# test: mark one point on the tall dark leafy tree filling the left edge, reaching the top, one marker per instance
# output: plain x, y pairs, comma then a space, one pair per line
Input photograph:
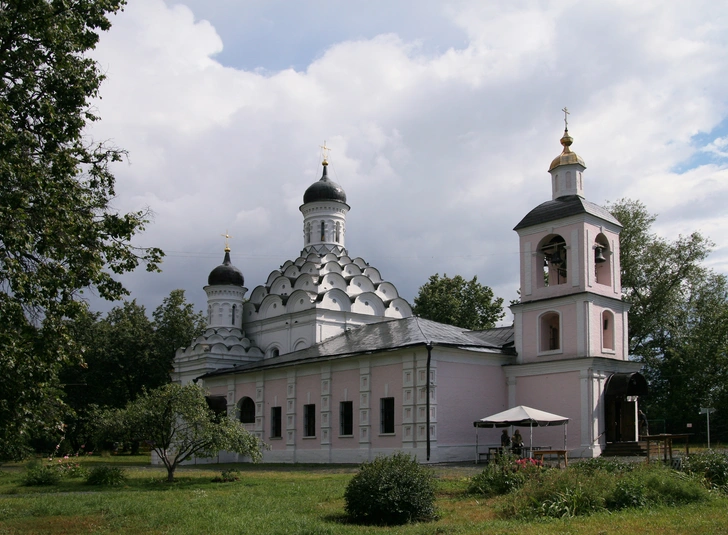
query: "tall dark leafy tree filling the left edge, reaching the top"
58, 232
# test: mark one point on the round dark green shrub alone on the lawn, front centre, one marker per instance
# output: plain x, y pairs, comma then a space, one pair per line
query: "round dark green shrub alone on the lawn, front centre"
391, 490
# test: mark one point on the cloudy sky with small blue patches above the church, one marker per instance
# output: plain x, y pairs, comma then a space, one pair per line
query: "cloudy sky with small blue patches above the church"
442, 119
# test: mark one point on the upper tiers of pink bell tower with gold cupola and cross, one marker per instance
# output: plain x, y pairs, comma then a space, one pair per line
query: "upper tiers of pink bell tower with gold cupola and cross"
571, 303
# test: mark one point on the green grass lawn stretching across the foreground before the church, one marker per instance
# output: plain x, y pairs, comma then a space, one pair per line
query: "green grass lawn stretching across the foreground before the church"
291, 499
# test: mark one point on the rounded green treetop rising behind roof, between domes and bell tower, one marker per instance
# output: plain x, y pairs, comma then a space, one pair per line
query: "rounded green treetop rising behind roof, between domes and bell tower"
455, 301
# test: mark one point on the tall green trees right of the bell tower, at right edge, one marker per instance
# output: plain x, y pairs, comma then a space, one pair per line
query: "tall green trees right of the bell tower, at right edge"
678, 322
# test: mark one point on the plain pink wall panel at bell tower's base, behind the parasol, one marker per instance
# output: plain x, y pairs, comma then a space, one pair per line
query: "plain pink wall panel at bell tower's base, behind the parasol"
558, 393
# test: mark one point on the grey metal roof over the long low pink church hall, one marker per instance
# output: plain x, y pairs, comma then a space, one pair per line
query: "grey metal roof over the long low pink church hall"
387, 336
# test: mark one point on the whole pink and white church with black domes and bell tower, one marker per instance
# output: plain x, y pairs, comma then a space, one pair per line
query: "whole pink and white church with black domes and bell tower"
325, 362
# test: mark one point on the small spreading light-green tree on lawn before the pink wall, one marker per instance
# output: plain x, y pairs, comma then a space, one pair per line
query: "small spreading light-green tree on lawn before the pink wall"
177, 423
